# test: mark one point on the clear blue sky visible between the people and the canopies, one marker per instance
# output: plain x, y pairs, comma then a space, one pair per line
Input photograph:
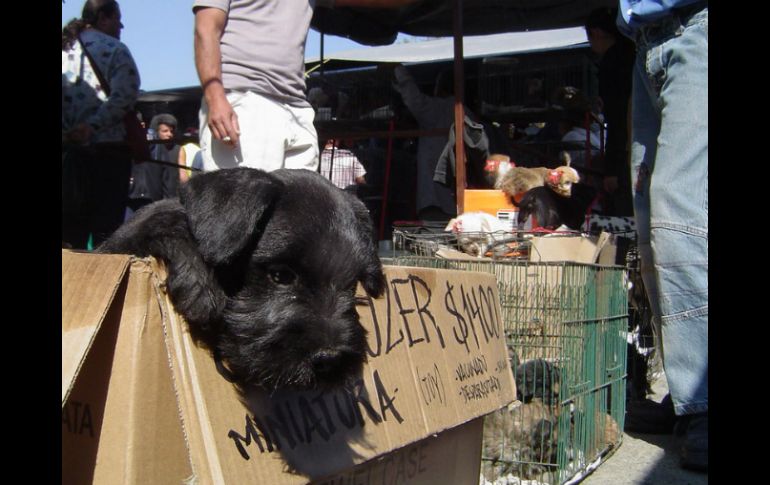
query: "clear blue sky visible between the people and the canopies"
159, 34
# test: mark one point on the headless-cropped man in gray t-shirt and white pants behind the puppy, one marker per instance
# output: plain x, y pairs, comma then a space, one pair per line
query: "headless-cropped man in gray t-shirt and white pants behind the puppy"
249, 55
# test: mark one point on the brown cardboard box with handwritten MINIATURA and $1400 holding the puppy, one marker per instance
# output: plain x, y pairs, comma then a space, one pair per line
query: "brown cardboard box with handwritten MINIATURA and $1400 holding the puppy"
141, 403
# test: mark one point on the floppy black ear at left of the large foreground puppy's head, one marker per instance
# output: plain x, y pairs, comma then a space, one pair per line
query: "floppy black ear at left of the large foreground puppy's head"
224, 209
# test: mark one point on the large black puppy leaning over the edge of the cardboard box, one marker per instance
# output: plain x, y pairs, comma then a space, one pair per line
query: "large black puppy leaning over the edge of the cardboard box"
264, 268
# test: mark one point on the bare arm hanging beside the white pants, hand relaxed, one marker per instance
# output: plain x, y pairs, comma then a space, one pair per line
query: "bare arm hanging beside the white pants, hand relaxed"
209, 26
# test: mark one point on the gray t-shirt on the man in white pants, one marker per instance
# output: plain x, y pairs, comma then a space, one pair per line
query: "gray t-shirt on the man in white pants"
263, 46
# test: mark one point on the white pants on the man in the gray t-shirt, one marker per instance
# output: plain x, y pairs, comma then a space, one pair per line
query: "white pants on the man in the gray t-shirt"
273, 136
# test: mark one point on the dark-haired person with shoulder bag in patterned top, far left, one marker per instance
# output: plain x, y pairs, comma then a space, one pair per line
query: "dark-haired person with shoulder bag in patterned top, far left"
100, 85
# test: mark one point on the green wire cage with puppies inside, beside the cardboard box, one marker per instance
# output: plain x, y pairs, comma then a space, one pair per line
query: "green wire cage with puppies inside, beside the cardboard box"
566, 329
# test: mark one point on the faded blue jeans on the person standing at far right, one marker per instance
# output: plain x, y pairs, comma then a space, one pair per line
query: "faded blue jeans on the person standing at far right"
669, 167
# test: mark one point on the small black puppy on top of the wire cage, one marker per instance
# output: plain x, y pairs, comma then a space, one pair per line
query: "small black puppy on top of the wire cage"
552, 210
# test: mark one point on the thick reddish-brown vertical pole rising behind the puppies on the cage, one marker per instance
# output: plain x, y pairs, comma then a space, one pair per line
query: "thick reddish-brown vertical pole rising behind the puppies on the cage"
457, 22
